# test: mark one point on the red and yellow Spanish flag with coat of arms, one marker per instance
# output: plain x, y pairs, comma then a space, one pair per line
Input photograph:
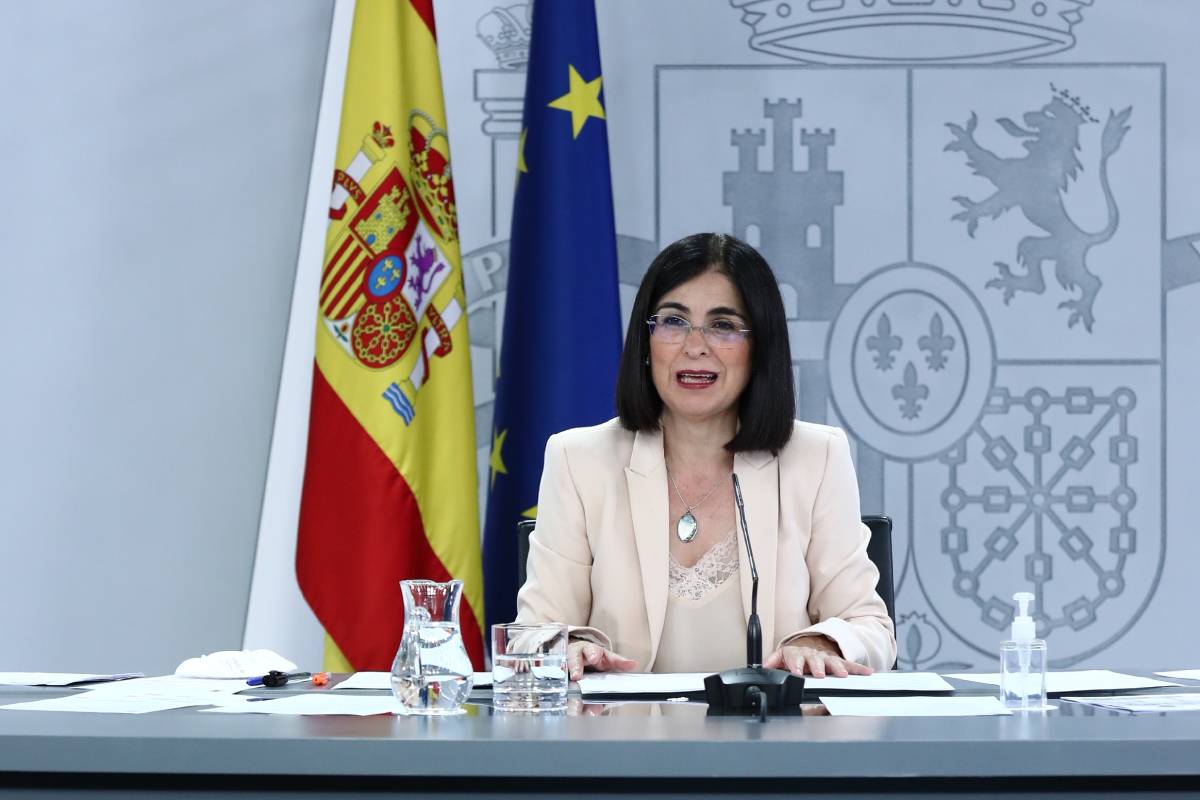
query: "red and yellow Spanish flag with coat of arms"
389, 490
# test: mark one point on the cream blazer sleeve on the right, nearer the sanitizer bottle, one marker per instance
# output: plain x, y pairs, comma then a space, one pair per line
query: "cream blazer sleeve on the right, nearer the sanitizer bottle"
843, 579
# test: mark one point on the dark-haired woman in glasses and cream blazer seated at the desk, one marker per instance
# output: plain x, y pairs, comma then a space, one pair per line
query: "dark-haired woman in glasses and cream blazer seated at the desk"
637, 546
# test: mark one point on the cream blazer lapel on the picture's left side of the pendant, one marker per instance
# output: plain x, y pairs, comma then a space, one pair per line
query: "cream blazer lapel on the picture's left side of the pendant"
647, 482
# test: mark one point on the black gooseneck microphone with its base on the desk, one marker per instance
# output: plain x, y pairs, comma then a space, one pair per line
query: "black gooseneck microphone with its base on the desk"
753, 688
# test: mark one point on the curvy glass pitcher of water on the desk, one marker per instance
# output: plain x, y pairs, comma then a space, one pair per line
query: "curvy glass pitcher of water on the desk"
433, 672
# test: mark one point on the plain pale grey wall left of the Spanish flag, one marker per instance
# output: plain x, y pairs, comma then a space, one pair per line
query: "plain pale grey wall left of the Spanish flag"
155, 158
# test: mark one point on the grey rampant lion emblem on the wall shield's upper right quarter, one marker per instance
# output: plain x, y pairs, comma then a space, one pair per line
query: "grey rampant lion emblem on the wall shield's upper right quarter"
1035, 184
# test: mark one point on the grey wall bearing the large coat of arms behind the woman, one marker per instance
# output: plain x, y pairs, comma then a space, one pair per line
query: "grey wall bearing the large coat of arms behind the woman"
1045, 456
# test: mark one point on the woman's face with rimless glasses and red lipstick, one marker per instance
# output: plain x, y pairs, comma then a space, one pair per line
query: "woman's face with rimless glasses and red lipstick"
700, 377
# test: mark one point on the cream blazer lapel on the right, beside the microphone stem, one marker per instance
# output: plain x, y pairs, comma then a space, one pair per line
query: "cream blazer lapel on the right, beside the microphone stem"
759, 477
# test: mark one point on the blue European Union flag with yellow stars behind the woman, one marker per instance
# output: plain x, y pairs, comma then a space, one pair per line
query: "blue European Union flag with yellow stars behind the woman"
562, 324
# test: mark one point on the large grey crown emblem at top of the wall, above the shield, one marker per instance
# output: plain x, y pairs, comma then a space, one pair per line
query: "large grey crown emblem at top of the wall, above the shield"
904, 32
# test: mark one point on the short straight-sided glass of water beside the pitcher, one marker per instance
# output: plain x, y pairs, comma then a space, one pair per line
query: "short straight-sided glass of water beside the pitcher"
530, 667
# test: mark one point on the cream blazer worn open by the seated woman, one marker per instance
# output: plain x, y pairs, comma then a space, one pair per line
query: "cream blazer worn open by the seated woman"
598, 558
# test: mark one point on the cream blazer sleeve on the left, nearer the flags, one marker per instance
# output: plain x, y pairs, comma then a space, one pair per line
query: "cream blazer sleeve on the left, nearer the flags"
559, 572
